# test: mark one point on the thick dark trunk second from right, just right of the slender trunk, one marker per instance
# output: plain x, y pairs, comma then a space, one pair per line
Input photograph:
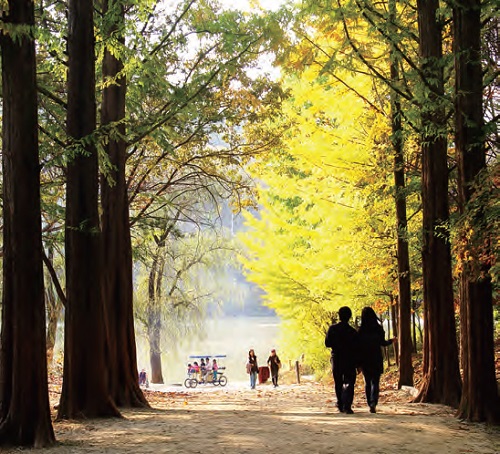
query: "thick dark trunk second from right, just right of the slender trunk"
441, 381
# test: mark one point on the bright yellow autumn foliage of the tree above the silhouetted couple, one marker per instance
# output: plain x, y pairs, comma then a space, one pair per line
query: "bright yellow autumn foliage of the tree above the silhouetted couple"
307, 247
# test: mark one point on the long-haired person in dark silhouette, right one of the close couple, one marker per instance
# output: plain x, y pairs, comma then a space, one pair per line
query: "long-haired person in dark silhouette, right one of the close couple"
371, 338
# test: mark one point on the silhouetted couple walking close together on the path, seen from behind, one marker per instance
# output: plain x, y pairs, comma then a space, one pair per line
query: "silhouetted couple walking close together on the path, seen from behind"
353, 349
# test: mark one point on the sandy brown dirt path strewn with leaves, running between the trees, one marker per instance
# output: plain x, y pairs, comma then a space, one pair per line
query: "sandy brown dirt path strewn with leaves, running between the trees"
291, 419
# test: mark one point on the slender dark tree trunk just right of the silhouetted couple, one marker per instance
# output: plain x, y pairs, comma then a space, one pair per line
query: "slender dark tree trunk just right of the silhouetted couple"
405, 346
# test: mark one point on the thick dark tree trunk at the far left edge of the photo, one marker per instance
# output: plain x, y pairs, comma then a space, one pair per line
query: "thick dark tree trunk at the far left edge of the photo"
24, 411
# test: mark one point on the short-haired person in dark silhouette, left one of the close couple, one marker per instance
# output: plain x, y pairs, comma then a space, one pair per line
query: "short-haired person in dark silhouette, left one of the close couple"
342, 339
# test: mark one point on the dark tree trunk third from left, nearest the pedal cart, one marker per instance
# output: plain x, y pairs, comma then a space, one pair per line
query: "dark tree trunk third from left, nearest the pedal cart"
117, 247
